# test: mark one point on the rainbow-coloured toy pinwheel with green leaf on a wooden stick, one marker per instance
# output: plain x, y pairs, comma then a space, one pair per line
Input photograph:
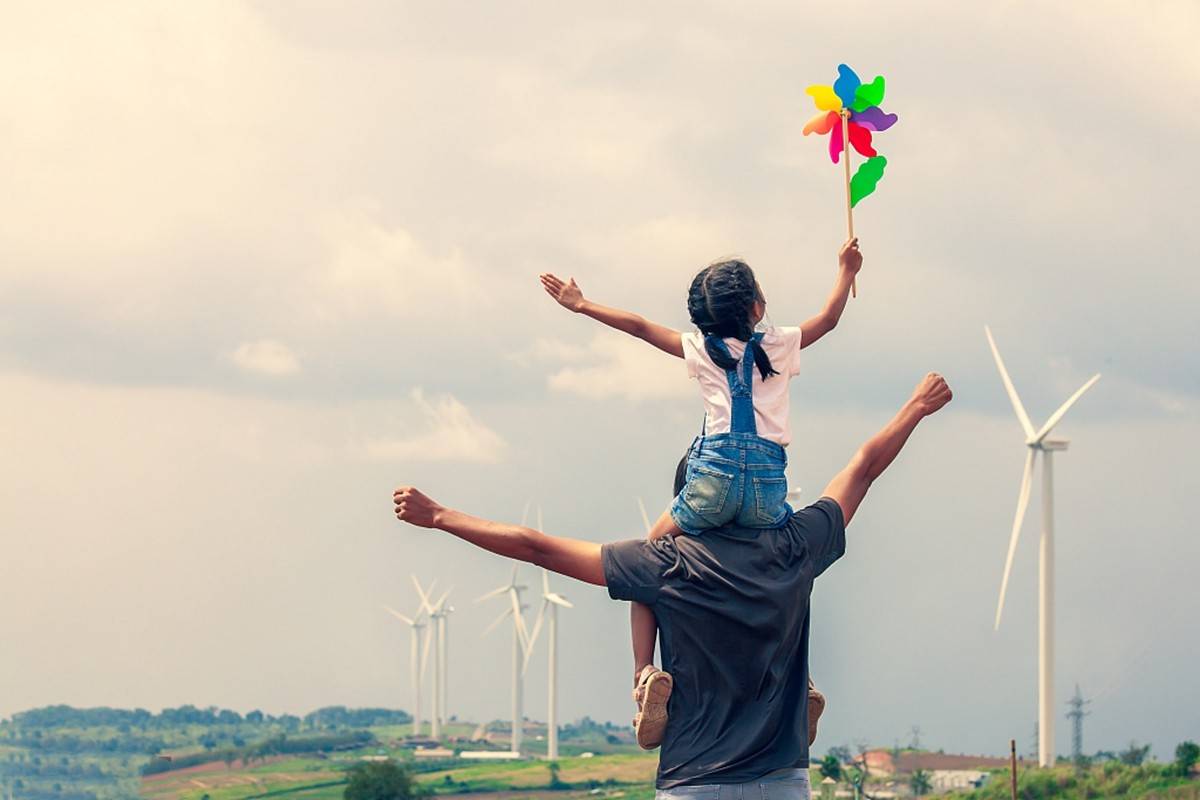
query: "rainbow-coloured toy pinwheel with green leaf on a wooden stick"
850, 112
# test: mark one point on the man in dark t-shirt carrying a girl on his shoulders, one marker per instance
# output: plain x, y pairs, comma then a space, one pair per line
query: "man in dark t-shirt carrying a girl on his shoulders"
733, 609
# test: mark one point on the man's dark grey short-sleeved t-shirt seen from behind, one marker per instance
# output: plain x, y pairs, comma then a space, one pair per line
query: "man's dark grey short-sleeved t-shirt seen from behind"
733, 607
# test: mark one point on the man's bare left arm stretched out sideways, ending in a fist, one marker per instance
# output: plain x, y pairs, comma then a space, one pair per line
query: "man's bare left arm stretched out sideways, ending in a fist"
571, 557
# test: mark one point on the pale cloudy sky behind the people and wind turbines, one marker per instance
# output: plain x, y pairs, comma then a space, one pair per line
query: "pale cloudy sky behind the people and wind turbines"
263, 262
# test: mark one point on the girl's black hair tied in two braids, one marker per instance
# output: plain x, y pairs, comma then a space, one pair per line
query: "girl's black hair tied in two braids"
721, 303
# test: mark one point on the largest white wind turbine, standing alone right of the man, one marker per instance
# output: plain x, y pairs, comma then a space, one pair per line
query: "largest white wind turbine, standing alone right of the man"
1037, 443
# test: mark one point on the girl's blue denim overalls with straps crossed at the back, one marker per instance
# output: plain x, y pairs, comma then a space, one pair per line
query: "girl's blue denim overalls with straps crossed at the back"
737, 477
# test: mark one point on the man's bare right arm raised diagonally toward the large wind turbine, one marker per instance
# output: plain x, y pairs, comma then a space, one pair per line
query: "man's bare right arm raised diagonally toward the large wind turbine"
849, 488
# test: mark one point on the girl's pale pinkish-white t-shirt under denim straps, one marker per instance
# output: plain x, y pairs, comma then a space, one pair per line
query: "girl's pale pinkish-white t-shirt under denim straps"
771, 398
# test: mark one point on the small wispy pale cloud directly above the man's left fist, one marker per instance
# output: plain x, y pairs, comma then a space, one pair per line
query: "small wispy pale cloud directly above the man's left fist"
453, 435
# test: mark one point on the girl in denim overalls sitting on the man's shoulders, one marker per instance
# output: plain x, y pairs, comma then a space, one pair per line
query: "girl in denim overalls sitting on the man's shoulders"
735, 470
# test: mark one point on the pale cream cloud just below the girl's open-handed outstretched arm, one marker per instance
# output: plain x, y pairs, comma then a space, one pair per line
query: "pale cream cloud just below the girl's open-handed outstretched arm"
622, 368
